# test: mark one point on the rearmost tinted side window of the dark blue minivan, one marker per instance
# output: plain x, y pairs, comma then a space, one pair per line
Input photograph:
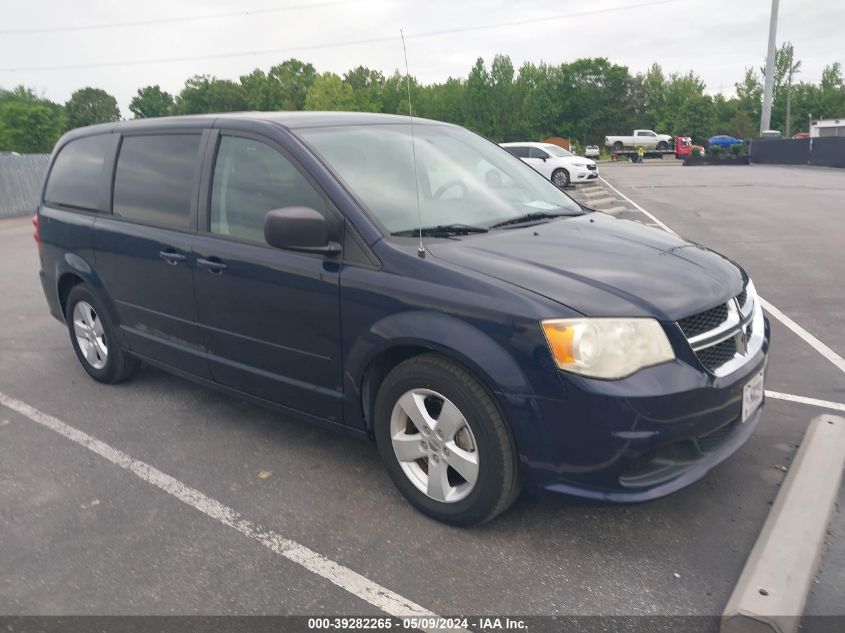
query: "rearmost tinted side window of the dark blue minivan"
78, 177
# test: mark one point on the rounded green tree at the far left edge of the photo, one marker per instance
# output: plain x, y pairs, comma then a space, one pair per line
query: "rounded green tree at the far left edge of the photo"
28, 127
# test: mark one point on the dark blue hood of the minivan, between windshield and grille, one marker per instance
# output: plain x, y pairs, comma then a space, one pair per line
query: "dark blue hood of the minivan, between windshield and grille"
600, 266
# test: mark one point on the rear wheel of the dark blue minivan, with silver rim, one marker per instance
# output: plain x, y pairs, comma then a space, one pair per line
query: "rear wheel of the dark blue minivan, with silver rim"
94, 338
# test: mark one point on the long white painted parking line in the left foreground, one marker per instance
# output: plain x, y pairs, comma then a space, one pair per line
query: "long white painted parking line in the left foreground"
356, 584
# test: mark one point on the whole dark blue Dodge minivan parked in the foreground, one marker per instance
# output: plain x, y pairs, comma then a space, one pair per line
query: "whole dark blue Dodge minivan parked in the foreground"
412, 282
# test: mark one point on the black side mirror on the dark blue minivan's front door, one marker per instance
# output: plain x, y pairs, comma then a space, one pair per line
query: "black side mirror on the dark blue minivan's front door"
299, 229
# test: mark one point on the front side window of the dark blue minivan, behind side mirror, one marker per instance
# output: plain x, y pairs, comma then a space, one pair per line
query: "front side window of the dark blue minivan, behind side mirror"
250, 179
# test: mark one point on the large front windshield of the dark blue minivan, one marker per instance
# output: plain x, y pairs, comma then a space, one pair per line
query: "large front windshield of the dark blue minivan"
463, 179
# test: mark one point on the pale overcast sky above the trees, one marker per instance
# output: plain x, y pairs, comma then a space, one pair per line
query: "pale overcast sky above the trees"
715, 38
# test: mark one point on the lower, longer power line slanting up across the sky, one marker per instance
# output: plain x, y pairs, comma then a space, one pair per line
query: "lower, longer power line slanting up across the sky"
372, 40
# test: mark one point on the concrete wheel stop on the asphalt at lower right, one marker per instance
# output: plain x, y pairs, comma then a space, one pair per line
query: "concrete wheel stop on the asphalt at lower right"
772, 589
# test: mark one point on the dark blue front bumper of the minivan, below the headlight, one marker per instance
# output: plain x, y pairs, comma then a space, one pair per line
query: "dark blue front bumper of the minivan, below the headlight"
639, 438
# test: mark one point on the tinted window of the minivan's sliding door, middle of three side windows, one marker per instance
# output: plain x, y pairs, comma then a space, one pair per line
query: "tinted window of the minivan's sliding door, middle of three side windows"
154, 179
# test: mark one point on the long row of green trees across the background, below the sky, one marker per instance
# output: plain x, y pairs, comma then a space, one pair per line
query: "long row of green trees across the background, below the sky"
583, 100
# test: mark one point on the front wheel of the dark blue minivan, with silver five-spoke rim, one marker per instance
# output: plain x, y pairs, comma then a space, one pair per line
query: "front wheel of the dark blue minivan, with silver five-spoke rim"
430, 386
